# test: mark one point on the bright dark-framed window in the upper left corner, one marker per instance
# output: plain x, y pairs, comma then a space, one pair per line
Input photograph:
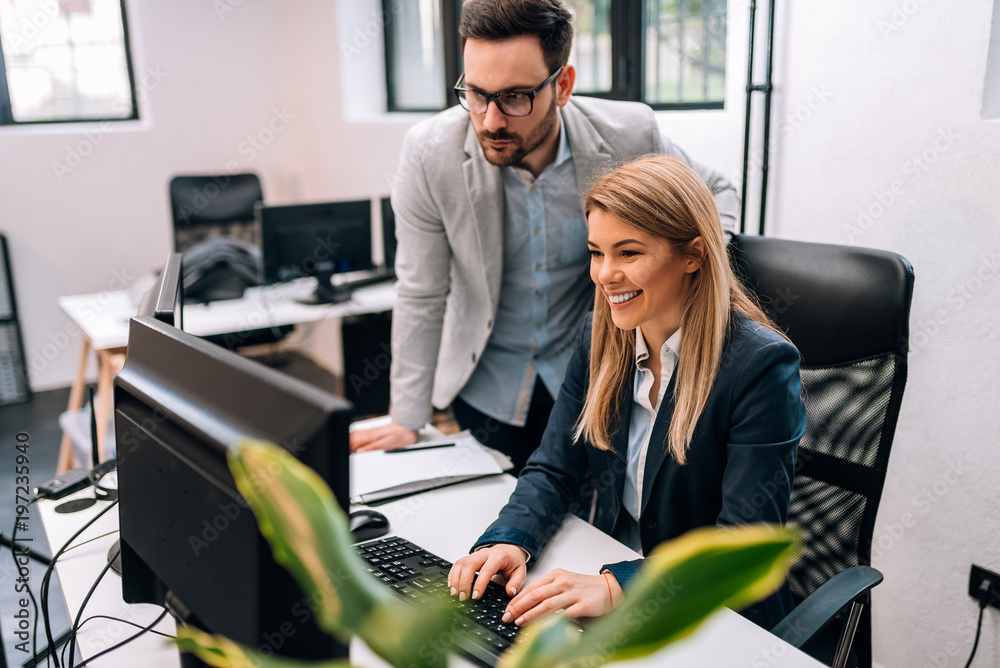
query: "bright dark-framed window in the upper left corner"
64, 60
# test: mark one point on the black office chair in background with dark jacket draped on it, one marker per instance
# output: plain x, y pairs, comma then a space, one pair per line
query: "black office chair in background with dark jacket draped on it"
214, 227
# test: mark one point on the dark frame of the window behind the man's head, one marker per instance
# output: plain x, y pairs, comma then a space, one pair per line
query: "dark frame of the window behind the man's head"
627, 58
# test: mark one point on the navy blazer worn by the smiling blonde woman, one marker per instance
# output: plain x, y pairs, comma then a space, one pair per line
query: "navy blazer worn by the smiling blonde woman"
739, 469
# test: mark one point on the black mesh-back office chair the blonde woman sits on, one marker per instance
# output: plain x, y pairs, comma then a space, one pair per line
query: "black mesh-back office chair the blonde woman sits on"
847, 311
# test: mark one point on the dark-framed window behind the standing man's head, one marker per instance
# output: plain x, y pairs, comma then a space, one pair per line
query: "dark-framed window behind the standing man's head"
670, 54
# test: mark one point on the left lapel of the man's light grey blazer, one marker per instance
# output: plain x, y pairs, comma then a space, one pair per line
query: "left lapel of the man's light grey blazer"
484, 188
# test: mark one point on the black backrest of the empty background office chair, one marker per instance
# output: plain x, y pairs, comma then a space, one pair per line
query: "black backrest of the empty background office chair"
205, 207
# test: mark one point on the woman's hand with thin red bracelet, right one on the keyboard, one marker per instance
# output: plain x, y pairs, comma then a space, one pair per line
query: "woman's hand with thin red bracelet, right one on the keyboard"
575, 594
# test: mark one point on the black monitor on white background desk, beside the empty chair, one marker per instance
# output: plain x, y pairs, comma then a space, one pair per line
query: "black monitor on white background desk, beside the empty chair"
316, 240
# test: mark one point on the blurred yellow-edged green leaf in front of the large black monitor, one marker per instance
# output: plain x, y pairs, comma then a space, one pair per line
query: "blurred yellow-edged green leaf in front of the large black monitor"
309, 535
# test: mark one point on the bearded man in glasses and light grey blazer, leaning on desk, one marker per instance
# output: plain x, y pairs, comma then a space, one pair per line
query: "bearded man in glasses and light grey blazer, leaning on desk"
492, 255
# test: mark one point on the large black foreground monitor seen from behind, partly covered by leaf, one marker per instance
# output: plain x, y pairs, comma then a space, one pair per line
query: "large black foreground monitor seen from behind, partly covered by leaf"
188, 541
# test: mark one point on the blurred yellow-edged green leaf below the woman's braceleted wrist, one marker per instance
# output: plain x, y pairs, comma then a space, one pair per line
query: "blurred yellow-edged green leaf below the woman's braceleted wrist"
680, 584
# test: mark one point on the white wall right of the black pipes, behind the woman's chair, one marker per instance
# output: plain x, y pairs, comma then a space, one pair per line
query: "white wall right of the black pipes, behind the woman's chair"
905, 83
